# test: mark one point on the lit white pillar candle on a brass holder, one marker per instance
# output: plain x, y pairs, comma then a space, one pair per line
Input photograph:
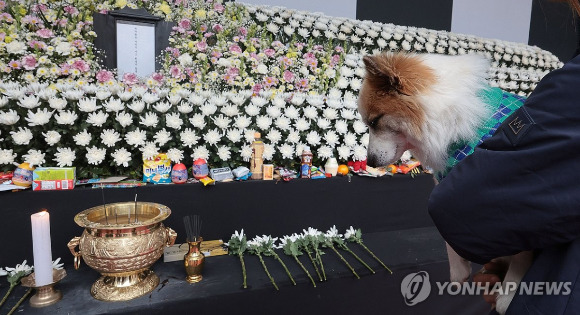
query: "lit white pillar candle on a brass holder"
41, 248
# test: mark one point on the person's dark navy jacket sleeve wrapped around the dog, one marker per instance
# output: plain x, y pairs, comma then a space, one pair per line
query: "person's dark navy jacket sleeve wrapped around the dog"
520, 190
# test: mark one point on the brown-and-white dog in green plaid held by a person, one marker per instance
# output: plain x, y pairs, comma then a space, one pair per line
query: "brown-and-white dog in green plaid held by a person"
426, 104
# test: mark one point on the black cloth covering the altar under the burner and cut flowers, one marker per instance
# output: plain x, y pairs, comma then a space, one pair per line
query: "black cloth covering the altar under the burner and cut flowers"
391, 212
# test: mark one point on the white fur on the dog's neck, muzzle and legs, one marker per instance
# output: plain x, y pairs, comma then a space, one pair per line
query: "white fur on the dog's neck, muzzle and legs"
452, 112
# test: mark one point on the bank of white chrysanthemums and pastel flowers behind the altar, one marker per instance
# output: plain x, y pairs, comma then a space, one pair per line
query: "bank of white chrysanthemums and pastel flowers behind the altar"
231, 69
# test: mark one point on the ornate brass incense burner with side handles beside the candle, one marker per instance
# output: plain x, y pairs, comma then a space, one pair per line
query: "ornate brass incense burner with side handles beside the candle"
121, 241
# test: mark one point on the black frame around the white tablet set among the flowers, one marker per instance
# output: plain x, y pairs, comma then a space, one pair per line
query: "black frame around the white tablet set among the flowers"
105, 25
